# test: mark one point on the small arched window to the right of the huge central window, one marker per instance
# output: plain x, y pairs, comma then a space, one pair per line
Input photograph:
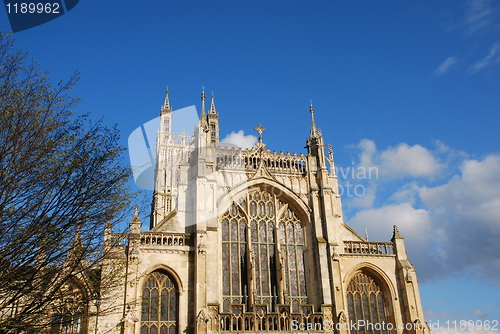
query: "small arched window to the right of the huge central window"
366, 302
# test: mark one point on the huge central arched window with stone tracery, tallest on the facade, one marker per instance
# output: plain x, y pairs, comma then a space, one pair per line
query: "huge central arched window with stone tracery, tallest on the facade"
262, 253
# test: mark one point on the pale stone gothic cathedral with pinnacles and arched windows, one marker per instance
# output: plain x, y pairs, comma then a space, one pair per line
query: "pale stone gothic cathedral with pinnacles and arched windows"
252, 241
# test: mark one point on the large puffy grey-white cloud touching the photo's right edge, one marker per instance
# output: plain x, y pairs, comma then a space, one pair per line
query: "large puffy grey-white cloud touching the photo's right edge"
467, 212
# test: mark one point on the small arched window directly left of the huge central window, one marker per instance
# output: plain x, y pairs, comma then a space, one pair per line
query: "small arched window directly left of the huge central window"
160, 299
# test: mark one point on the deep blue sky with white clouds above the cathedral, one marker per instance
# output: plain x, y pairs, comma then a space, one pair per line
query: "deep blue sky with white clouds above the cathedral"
408, 87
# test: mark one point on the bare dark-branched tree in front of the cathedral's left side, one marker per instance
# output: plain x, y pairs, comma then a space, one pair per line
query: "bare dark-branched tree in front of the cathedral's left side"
62, 178
